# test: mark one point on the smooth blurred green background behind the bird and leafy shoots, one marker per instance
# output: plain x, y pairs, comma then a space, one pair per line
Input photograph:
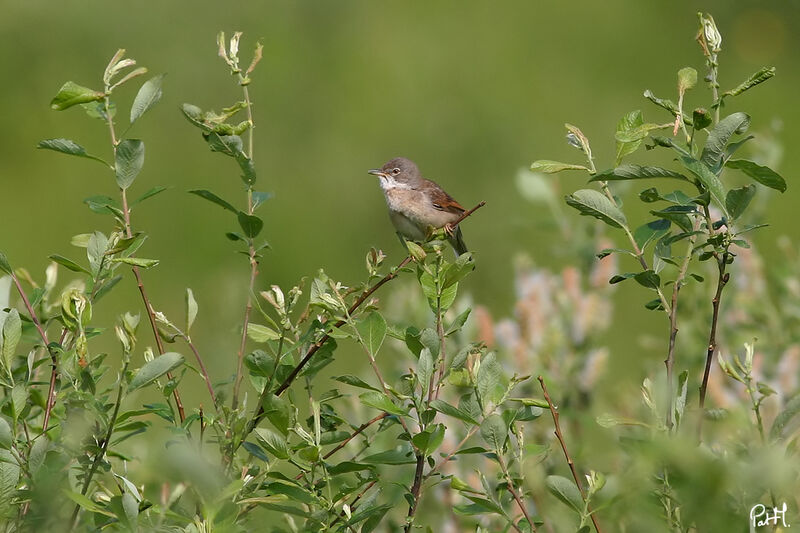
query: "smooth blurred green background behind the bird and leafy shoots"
472, 91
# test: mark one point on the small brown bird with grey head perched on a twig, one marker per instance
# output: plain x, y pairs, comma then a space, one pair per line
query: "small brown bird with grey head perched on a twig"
417, 206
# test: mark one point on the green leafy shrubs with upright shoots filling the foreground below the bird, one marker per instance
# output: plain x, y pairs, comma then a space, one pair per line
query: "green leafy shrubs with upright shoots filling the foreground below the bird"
442, 412
